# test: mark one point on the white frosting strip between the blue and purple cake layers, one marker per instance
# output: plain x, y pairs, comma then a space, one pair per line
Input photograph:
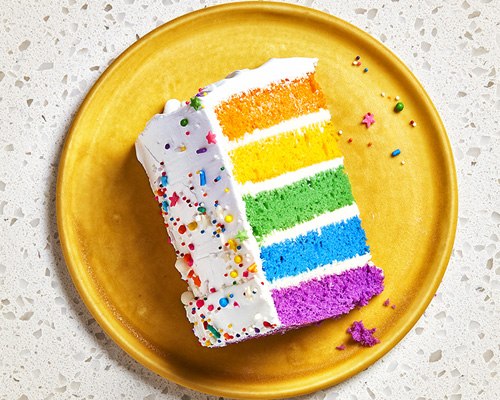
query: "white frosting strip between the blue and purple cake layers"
329, 269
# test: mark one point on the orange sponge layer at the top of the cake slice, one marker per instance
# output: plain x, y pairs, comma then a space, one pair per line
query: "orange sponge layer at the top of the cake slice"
263, 108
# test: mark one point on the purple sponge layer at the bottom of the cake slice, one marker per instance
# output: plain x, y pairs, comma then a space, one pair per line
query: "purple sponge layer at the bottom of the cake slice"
327, 297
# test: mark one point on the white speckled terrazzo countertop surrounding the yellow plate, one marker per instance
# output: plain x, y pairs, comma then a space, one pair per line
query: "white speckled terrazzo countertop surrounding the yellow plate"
53, 51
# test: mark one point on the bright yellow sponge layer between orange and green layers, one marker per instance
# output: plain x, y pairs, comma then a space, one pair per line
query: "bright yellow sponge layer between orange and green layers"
286, 152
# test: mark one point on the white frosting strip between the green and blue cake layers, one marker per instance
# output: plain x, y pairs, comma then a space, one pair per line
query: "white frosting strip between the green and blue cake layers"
314, 224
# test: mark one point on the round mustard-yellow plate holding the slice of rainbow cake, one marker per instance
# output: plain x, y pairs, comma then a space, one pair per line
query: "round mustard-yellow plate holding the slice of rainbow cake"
112, 234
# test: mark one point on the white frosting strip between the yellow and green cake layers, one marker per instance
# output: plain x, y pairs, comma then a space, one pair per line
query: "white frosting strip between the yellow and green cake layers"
290, 177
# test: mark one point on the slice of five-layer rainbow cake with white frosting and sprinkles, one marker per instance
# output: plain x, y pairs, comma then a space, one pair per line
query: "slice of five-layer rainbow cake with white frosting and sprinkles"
255, 199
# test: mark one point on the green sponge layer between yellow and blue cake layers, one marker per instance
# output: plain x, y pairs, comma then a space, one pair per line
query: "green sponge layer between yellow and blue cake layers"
301, 201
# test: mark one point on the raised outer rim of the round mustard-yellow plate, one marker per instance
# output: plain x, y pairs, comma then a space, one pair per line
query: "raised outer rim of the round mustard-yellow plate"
116, 333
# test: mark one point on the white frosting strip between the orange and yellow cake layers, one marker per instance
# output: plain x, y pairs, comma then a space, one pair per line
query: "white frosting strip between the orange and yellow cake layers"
284, 126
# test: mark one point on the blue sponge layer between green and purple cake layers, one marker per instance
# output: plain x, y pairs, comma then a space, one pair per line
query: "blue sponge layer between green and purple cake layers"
332, 243
